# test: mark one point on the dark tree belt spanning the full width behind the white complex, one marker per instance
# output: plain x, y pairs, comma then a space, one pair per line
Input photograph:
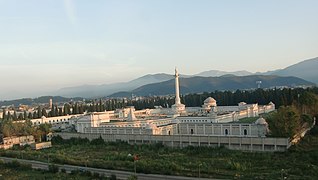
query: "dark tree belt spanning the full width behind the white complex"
280, 97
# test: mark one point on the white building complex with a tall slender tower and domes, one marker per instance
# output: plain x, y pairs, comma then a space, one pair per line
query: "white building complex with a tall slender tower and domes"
207, 120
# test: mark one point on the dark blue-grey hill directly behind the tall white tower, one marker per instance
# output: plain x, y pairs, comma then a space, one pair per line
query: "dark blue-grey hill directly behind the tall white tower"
207, 84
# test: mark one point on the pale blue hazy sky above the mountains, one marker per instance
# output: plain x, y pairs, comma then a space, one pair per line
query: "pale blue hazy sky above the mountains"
49, 44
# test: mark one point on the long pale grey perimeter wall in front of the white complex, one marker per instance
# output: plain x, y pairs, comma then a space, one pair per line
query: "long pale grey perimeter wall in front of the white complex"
230, 142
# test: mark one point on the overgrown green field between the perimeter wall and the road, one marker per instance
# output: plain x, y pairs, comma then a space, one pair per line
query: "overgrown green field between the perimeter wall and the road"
299, 162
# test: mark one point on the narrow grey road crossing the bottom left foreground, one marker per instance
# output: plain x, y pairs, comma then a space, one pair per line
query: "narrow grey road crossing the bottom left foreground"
119, 174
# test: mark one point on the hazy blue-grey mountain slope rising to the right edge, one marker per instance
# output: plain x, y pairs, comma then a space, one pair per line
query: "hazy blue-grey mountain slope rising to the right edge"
307, 70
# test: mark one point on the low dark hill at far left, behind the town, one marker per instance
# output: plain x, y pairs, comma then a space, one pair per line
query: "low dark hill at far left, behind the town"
39, 100
